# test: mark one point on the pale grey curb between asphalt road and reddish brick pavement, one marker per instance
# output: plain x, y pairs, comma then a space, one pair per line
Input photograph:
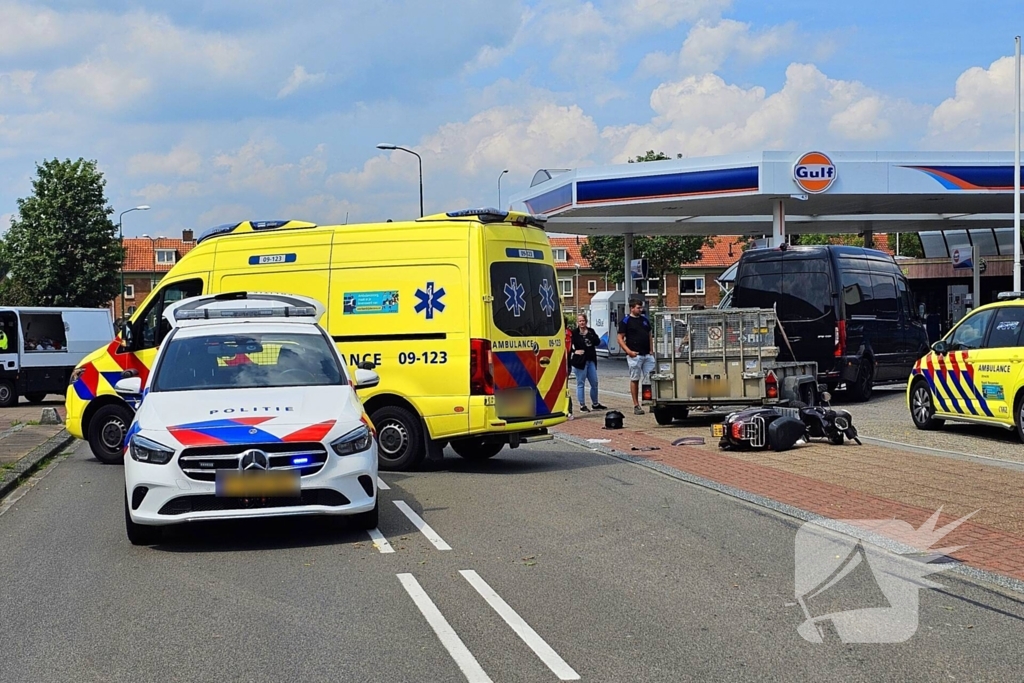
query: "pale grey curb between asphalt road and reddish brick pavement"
960, 569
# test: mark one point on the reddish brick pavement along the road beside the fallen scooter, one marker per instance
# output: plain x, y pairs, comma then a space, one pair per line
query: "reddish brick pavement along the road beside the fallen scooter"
844, 483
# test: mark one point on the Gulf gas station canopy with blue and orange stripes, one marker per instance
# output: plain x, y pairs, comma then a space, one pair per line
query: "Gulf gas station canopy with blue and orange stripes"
776, 193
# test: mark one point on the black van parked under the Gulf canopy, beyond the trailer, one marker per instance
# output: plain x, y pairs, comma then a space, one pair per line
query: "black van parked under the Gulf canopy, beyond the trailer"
847, 309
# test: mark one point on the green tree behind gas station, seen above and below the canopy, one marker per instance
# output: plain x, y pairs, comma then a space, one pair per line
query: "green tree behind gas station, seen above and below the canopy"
665, 254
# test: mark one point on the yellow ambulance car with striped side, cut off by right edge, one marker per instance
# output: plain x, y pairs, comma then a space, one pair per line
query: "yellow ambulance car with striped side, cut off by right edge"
976, 372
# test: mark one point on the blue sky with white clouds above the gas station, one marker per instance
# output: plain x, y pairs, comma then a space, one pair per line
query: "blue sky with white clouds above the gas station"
226, 111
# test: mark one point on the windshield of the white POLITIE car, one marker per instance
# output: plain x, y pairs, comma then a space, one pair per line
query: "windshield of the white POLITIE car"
247, 361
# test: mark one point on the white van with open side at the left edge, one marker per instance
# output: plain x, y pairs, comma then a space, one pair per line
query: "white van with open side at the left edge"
39, 349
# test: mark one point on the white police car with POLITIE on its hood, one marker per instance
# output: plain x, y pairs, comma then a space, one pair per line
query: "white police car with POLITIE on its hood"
248, 412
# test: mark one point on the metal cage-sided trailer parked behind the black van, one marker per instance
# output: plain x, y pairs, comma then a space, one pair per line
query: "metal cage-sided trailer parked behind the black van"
723, 358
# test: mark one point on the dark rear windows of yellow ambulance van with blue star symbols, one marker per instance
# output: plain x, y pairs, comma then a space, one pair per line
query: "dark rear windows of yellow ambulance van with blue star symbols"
527, 303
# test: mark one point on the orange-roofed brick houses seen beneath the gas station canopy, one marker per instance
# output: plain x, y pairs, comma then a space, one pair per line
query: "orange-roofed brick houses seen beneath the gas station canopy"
695, 286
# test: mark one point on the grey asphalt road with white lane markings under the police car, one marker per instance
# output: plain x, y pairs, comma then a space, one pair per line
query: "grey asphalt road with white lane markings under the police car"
619, 573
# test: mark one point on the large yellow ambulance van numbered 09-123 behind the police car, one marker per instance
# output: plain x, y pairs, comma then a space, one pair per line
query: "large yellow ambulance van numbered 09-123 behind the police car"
459, 314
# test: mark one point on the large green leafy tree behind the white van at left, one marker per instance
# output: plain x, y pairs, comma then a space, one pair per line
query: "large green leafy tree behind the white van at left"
62, 248
